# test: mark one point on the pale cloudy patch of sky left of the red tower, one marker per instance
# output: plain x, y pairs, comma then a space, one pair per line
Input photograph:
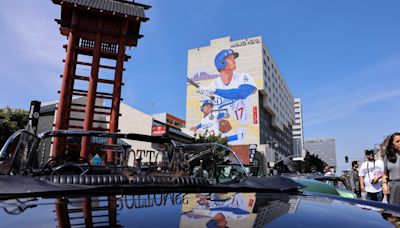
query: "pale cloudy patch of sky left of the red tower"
32, 52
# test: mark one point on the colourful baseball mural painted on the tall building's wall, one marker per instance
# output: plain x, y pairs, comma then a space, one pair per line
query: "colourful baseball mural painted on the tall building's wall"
224, 100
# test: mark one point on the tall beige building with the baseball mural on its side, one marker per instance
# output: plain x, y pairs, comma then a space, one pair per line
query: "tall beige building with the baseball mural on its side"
264, 117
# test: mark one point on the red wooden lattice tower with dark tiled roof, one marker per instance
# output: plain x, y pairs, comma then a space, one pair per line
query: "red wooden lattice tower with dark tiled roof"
99, 30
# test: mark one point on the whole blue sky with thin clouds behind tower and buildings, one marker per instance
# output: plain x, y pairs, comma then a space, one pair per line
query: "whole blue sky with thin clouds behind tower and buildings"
342, 58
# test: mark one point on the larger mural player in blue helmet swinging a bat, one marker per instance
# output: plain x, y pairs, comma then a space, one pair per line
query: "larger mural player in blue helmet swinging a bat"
230, 90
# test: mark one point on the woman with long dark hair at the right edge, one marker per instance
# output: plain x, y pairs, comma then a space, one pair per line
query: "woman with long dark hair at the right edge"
391, 175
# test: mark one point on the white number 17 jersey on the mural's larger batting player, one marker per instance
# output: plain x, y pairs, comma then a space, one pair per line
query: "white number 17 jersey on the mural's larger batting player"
236, 107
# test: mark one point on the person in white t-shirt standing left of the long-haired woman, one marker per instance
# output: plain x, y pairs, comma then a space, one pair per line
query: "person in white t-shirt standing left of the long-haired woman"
371, 172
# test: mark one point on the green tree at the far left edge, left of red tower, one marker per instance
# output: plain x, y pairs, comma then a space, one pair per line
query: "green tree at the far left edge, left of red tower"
10, 121
